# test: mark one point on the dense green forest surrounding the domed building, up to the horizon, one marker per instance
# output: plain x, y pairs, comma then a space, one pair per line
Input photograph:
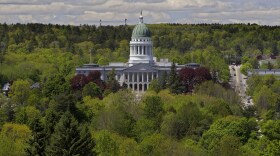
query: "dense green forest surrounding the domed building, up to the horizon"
51, 111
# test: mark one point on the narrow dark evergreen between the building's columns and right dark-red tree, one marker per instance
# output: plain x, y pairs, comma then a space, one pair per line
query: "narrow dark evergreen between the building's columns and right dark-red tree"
173, 81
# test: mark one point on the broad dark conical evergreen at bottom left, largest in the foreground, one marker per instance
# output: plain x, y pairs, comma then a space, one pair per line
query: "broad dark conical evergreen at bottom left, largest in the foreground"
68, 139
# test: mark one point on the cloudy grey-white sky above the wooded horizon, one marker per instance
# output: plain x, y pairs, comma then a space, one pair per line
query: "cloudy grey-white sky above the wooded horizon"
113, 12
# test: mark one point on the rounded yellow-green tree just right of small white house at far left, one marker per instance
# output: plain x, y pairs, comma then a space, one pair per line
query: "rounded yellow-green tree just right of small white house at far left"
20, 91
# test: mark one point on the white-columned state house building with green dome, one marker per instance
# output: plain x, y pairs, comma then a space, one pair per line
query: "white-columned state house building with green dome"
141, 67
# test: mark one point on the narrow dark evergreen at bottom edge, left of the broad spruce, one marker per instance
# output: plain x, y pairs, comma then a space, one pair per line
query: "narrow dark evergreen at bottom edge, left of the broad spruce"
36, 144
